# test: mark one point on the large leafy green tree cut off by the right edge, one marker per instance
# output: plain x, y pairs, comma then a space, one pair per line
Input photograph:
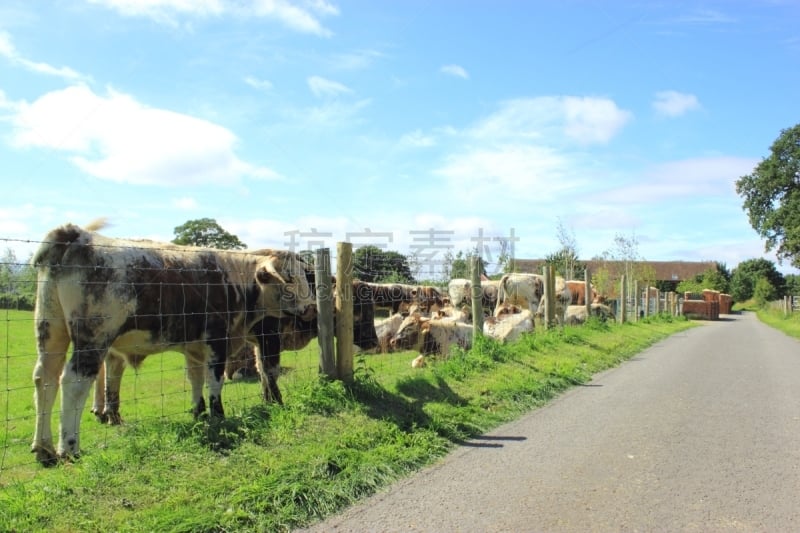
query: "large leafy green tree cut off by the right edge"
772, 196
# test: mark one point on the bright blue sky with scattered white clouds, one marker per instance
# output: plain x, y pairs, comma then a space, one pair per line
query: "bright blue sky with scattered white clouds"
418, 127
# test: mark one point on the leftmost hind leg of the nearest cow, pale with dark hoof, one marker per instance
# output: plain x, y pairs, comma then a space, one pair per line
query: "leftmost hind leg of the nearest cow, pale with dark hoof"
52, 341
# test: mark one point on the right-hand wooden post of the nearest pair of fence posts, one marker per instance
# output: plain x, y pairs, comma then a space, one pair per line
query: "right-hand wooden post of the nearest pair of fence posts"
344, 311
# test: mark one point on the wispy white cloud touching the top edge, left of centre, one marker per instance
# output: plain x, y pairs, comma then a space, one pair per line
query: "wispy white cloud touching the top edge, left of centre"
167, 11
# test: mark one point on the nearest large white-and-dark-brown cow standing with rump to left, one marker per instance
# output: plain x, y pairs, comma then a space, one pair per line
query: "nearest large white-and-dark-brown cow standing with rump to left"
133, 298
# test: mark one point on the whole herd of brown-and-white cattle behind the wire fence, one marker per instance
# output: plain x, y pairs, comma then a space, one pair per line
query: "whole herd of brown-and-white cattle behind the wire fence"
118, 301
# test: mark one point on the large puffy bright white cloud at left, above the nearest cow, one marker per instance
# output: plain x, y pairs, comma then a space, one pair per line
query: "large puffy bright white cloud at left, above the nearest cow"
114, 137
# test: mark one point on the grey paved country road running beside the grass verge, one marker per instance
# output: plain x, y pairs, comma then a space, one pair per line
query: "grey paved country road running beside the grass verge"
701, 432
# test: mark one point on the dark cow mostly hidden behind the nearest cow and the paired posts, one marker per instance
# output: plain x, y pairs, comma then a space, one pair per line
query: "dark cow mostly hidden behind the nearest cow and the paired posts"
260, 355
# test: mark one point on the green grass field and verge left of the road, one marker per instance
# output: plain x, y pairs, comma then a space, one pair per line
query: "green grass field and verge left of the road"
269, 468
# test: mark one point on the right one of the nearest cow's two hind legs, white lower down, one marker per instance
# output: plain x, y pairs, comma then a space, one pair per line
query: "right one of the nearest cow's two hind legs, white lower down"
76, 383
